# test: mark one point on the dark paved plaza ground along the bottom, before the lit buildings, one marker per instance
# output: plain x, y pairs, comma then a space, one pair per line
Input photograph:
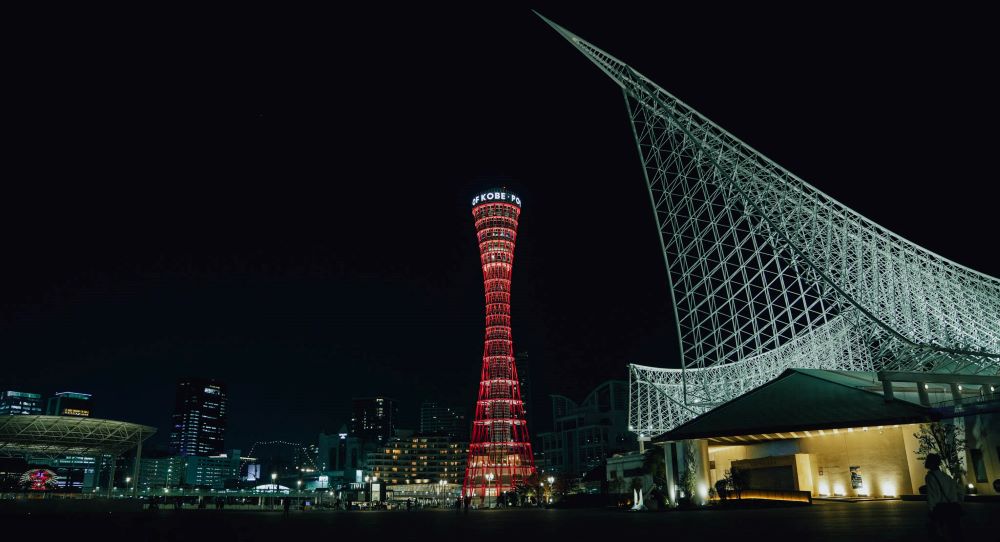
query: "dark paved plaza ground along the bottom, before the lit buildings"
852, 522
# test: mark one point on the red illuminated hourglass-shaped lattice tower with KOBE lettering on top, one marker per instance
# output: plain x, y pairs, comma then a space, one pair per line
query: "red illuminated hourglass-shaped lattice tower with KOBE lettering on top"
500, 455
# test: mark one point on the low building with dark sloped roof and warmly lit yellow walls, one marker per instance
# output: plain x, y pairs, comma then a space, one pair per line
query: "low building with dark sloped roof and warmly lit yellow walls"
853, 434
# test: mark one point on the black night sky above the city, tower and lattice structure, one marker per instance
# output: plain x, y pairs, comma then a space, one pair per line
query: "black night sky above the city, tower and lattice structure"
282, 201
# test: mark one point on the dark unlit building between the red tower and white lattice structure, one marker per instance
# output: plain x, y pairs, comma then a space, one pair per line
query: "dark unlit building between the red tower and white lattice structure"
585, 435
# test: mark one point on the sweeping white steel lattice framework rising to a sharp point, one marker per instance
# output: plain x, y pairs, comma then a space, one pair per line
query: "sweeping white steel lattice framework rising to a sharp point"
768, 273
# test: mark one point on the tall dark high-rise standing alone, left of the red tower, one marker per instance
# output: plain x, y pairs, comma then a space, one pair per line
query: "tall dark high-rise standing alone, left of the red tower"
199, 420
